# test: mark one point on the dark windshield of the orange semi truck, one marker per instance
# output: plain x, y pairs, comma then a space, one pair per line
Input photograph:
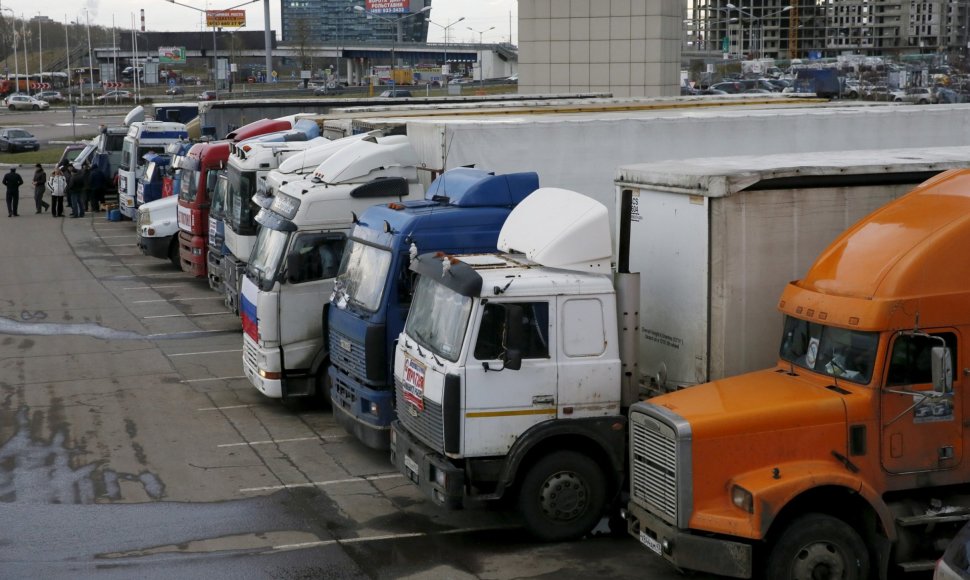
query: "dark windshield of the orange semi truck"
839, 352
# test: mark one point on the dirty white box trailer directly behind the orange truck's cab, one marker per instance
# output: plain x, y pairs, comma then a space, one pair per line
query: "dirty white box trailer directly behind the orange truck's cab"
716, 240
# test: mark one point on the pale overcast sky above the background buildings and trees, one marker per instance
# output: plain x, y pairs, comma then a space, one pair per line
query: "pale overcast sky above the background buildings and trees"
160, 15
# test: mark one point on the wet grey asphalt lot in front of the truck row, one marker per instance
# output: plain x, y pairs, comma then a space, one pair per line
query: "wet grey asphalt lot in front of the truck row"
131, 445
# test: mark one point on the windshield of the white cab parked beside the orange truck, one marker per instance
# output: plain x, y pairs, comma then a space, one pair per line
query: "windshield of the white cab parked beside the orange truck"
438, 318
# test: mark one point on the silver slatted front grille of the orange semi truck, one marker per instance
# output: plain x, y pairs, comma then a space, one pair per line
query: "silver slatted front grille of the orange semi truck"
654, 466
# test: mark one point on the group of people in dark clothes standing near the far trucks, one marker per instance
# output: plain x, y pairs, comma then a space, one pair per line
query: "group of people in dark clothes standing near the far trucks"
84, 188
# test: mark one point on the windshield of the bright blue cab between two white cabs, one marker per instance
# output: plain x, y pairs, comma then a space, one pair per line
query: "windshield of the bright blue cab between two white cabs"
360, 280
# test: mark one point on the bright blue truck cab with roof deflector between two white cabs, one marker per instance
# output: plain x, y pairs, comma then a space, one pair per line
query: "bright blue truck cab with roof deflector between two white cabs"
463, 211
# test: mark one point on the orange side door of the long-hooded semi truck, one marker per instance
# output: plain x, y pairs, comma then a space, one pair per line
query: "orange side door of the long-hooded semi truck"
919, 433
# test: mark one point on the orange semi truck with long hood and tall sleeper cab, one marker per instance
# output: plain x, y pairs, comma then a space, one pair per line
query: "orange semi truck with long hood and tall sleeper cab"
845, 459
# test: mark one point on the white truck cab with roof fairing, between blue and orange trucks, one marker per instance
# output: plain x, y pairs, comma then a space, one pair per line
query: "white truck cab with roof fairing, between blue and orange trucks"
507, 374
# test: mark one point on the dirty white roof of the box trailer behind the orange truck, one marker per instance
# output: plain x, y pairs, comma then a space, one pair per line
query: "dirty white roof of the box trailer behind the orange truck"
724, 176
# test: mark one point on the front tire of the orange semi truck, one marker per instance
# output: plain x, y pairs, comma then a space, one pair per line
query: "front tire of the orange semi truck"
818, 546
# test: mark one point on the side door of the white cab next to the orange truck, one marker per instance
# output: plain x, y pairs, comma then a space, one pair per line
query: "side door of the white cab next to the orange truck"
502, 404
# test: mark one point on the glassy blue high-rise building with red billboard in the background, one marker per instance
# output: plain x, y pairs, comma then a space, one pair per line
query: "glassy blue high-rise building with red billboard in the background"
336, 21
